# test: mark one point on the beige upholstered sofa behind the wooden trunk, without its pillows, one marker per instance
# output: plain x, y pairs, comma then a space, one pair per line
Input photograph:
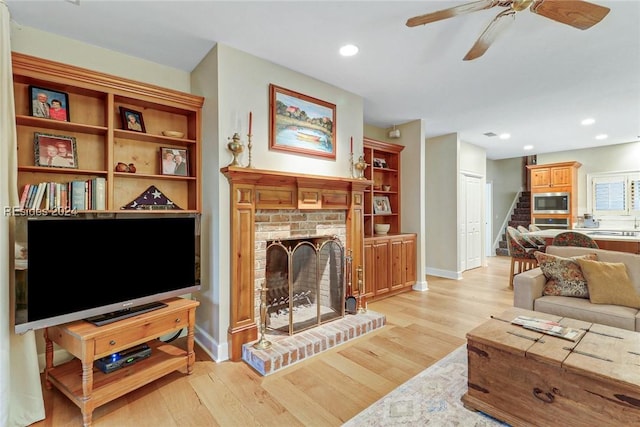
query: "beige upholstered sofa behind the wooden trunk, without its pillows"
531, 290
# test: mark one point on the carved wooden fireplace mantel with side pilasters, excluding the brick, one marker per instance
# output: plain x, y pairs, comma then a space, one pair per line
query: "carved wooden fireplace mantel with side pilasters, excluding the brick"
253, 189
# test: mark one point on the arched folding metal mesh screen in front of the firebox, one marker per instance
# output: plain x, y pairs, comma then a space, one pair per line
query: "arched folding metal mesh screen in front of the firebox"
305, 283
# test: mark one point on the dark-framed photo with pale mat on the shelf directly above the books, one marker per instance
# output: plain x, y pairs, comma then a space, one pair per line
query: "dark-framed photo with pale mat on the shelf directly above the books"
55, 151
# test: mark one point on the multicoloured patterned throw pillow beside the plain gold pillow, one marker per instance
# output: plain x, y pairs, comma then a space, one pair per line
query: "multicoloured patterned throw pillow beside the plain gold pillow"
564, 275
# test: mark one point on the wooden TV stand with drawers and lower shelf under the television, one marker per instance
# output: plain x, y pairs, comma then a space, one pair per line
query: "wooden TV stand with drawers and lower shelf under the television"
88, 343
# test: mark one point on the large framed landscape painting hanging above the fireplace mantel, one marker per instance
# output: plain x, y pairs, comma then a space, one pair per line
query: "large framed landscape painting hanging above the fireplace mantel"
301, 124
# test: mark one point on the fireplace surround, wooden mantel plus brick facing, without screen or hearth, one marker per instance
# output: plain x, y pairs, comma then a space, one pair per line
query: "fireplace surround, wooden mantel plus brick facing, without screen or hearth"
271, 205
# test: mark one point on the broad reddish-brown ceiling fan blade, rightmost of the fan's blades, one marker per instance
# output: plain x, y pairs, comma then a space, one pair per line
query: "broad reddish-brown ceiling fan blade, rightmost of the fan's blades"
578, 14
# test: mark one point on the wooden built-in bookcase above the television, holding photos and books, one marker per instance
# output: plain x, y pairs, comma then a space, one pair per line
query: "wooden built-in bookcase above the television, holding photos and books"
95, 124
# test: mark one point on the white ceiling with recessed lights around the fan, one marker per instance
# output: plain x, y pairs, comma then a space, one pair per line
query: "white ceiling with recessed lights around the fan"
537, 81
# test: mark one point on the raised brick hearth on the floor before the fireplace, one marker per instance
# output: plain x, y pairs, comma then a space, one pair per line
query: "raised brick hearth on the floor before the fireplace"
287, 350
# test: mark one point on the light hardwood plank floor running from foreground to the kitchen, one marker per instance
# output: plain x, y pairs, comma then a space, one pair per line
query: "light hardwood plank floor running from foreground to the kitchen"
325, 390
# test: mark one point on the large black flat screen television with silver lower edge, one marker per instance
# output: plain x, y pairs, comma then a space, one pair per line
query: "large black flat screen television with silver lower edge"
101, 267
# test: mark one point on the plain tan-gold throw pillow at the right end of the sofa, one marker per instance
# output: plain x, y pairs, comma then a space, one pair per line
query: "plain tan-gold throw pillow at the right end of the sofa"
609, 283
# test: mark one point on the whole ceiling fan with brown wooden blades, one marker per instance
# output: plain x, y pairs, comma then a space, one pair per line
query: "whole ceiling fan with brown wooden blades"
576, 13
